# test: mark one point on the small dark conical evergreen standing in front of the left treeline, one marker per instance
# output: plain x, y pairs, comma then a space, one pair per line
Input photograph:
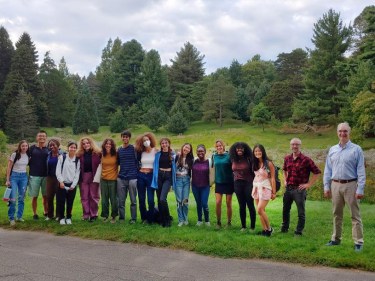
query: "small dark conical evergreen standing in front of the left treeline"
85, 118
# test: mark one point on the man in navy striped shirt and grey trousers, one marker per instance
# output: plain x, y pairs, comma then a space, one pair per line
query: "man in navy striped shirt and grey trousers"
127, 177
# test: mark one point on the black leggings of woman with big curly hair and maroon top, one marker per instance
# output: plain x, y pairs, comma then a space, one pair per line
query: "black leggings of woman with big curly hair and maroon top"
243, 191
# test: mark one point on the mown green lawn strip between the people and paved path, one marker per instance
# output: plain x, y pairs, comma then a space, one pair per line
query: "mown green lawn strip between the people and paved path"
228, 242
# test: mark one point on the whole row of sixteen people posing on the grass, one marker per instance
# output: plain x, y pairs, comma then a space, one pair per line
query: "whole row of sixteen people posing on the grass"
108, 174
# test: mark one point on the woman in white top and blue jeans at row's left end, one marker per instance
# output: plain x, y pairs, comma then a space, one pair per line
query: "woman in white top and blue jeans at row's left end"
17, 180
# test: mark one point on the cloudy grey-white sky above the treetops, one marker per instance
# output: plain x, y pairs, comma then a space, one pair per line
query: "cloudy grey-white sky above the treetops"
222, 30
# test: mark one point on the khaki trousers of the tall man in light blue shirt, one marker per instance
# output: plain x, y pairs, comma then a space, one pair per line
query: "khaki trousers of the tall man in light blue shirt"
344, 193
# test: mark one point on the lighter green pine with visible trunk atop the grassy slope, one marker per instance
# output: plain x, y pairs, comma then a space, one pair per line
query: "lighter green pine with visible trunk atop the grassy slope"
218, 100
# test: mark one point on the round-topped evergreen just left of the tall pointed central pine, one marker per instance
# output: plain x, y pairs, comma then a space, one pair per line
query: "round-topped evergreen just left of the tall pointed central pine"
152, 84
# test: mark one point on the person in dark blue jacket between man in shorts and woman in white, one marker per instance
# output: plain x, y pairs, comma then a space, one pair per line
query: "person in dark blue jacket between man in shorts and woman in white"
52, 182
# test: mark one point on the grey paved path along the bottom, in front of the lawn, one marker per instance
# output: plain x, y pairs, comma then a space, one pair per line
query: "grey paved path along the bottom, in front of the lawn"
40, 256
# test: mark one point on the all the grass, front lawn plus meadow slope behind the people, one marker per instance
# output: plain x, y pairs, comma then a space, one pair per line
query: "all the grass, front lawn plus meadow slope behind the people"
308, 249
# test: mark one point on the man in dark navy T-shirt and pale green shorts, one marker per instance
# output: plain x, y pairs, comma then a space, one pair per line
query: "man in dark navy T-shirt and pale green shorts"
38, 173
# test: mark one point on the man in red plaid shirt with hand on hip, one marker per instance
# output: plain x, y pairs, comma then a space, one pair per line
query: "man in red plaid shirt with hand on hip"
297, 168
